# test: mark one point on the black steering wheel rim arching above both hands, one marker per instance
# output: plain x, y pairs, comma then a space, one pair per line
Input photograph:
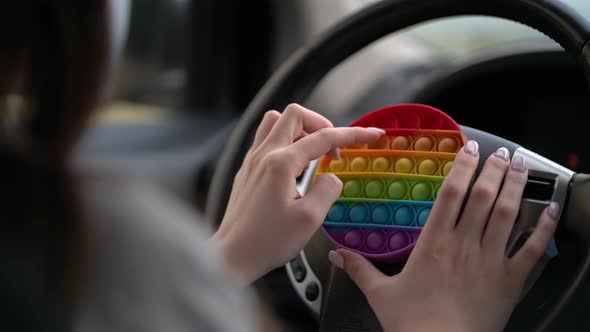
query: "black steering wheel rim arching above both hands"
295, 80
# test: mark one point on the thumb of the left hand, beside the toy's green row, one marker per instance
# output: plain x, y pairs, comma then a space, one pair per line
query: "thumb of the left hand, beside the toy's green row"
325, 190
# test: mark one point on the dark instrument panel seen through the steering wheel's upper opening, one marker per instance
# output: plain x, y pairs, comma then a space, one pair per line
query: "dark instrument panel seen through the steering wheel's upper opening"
534, 96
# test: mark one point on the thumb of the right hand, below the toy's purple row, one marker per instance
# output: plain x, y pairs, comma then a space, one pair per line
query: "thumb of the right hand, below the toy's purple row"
362, 272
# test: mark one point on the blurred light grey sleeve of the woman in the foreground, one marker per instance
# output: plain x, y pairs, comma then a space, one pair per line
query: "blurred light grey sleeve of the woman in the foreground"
150, 267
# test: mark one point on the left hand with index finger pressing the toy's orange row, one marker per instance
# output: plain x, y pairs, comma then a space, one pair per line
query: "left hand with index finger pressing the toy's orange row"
267, 222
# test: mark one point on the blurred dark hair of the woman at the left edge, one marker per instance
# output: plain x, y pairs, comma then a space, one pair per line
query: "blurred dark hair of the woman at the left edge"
53, 55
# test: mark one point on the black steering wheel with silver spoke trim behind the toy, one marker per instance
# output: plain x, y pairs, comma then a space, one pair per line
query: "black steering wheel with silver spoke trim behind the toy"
327, 291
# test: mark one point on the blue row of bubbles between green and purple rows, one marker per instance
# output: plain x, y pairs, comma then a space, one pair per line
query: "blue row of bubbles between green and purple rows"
372, 214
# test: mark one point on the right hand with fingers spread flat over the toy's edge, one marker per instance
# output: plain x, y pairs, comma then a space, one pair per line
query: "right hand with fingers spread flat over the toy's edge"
458, 277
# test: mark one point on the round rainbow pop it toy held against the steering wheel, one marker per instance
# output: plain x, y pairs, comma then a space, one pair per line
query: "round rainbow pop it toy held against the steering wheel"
390, 185
